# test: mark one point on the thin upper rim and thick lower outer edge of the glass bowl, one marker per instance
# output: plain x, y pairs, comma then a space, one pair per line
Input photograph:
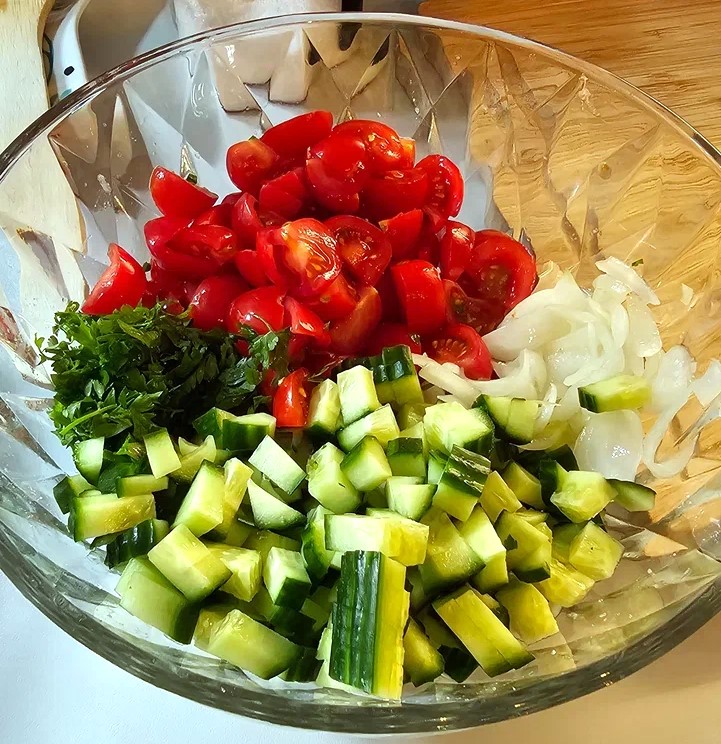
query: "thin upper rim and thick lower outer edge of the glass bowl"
262, 705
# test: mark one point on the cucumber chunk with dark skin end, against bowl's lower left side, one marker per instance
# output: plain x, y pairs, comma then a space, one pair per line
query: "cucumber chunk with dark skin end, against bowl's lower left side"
149, 596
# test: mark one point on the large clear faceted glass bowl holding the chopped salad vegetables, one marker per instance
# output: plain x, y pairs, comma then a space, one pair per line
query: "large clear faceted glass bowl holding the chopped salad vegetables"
568, 158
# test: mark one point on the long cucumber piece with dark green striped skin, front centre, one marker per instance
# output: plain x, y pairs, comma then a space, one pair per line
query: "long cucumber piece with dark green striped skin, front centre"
368, 620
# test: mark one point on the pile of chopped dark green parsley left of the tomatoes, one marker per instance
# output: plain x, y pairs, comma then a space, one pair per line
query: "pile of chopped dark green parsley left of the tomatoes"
141, 368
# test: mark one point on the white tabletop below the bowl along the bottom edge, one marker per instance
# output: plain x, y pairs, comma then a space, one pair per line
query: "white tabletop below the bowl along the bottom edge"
55, 691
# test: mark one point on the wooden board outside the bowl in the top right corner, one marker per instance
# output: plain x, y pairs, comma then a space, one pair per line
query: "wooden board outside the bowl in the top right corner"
668, 48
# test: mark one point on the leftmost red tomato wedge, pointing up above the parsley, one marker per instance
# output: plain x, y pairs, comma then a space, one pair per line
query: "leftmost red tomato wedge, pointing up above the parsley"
122, 283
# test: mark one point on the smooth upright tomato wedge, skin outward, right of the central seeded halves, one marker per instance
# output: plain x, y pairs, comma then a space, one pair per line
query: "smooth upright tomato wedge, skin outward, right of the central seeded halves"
420, 291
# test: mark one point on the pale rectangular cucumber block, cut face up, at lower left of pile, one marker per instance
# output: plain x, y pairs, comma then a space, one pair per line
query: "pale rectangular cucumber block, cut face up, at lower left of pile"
188, 564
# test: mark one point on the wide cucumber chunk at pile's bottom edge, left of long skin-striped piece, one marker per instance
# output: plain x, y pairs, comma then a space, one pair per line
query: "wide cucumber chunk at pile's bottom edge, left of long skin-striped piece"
248, 644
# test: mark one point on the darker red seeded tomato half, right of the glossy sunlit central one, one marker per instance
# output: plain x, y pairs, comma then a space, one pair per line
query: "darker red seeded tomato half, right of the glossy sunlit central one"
364, 248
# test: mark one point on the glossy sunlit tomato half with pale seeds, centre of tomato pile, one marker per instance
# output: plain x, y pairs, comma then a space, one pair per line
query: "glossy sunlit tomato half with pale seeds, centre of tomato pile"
307, 256
